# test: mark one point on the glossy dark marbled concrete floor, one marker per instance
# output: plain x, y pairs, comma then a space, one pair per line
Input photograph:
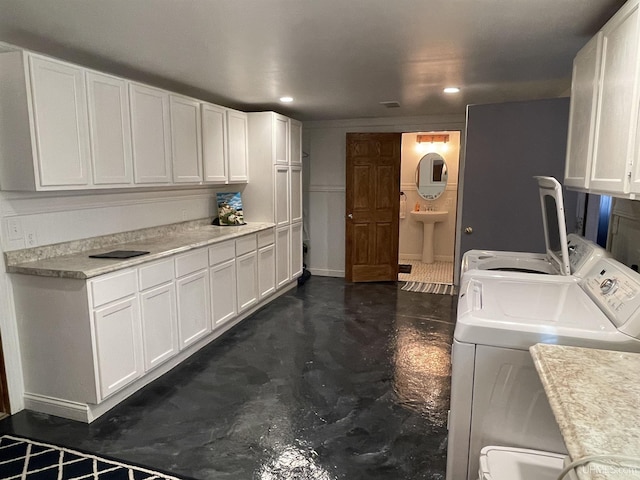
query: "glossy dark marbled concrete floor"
330, 381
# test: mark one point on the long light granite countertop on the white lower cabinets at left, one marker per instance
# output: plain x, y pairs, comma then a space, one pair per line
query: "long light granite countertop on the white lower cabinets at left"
71, 259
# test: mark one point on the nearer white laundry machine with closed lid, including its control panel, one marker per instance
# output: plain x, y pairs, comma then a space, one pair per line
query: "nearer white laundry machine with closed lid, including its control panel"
496, 395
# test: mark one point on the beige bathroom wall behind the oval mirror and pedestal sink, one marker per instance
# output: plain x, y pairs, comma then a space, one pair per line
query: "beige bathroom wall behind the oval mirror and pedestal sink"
410, 245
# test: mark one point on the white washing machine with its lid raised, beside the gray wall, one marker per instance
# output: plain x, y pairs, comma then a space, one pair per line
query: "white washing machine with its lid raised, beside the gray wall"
565, 254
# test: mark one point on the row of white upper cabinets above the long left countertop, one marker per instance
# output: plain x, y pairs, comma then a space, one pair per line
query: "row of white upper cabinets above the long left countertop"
66, 127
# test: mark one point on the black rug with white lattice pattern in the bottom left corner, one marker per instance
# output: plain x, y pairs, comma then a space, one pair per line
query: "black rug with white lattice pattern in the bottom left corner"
22, 459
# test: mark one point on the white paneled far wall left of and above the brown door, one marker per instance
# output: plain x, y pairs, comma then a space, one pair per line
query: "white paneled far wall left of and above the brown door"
325, 145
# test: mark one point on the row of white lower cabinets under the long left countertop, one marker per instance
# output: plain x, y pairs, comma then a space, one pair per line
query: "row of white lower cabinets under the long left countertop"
136, 320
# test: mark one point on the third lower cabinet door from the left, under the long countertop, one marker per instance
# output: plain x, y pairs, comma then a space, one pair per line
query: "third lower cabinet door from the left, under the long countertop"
193, 307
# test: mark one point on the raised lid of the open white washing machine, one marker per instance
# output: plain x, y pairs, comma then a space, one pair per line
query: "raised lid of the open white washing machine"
553, 218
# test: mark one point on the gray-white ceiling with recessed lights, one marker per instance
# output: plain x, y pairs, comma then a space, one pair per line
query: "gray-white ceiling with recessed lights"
338, 58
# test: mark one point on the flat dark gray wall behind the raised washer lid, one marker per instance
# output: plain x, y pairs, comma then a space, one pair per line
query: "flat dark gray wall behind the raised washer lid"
507, 144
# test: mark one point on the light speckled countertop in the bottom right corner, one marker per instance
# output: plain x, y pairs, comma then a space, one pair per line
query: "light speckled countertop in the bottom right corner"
595, 397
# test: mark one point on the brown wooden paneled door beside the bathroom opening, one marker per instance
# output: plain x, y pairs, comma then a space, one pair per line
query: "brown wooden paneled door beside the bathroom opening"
372, 206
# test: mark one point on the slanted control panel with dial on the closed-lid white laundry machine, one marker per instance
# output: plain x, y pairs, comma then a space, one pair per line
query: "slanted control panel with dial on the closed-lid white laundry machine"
615, 288
